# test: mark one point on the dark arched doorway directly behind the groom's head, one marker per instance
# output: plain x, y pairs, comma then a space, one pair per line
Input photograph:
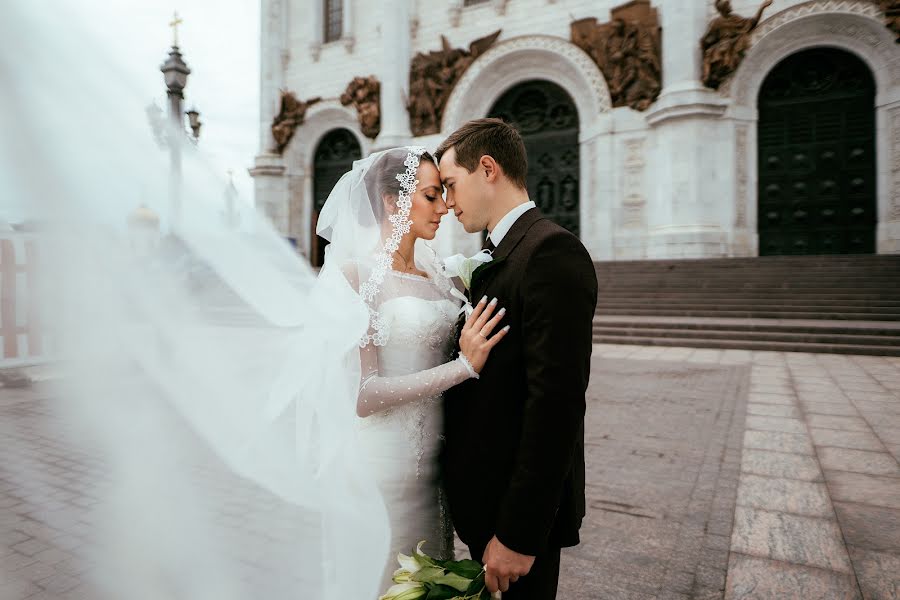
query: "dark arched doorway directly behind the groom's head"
546, 117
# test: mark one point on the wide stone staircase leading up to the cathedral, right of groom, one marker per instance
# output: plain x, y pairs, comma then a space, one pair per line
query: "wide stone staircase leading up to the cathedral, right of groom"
835, 304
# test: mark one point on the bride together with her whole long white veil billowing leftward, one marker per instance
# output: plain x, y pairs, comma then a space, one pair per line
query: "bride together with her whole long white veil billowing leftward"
260, 427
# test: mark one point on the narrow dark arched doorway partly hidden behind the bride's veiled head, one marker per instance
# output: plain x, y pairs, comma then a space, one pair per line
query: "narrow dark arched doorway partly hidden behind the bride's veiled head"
334, 156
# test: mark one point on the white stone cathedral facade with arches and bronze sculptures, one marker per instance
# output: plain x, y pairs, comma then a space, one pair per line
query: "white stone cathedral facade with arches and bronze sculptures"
655, 128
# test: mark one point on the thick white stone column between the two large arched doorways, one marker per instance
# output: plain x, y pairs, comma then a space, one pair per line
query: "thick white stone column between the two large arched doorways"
691, 195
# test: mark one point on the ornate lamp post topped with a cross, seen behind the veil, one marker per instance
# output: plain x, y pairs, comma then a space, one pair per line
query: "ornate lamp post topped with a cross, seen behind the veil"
175, 73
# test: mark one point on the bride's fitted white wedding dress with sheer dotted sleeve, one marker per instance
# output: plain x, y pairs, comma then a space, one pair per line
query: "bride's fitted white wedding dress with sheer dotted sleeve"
402, 442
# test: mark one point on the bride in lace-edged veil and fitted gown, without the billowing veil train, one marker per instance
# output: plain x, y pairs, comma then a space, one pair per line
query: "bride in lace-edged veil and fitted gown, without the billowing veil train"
406, 353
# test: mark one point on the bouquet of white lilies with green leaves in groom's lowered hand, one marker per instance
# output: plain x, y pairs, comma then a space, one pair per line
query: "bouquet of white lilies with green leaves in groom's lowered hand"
421, 577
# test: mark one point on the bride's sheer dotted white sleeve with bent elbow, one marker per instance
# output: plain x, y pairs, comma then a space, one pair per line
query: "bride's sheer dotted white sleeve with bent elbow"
377, 394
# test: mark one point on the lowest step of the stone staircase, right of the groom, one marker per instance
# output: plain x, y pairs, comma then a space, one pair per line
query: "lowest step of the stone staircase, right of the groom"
750, 345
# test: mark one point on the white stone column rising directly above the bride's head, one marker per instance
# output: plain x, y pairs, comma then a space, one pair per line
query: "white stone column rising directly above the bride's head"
394, 74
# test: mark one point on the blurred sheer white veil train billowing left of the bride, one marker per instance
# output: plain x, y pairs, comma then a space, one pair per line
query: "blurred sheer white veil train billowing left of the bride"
217, 463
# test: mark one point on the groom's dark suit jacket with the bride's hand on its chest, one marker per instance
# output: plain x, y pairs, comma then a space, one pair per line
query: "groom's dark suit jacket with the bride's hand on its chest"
513, 459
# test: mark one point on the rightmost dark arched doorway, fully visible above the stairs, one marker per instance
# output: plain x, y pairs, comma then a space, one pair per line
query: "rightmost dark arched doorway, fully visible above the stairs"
816, 136
